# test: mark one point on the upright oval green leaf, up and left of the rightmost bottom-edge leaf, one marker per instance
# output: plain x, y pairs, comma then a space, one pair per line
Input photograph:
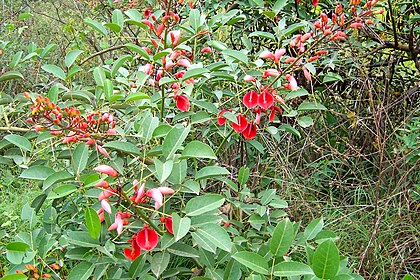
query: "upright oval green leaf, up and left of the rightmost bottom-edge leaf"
282, 239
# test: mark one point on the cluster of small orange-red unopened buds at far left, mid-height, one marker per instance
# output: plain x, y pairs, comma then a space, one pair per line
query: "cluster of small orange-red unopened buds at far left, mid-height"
70, 123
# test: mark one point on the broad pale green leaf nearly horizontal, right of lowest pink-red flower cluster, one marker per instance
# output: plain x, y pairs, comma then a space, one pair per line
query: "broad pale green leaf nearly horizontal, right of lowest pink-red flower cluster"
202, 204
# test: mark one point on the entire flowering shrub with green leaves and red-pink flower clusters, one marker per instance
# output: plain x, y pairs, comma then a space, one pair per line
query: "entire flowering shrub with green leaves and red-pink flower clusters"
158, 116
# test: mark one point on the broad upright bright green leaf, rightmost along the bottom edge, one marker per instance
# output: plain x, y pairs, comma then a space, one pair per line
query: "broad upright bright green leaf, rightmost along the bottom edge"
326, 260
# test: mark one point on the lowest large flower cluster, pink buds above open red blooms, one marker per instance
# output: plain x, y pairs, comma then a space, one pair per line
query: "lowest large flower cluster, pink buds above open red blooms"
145, 239
